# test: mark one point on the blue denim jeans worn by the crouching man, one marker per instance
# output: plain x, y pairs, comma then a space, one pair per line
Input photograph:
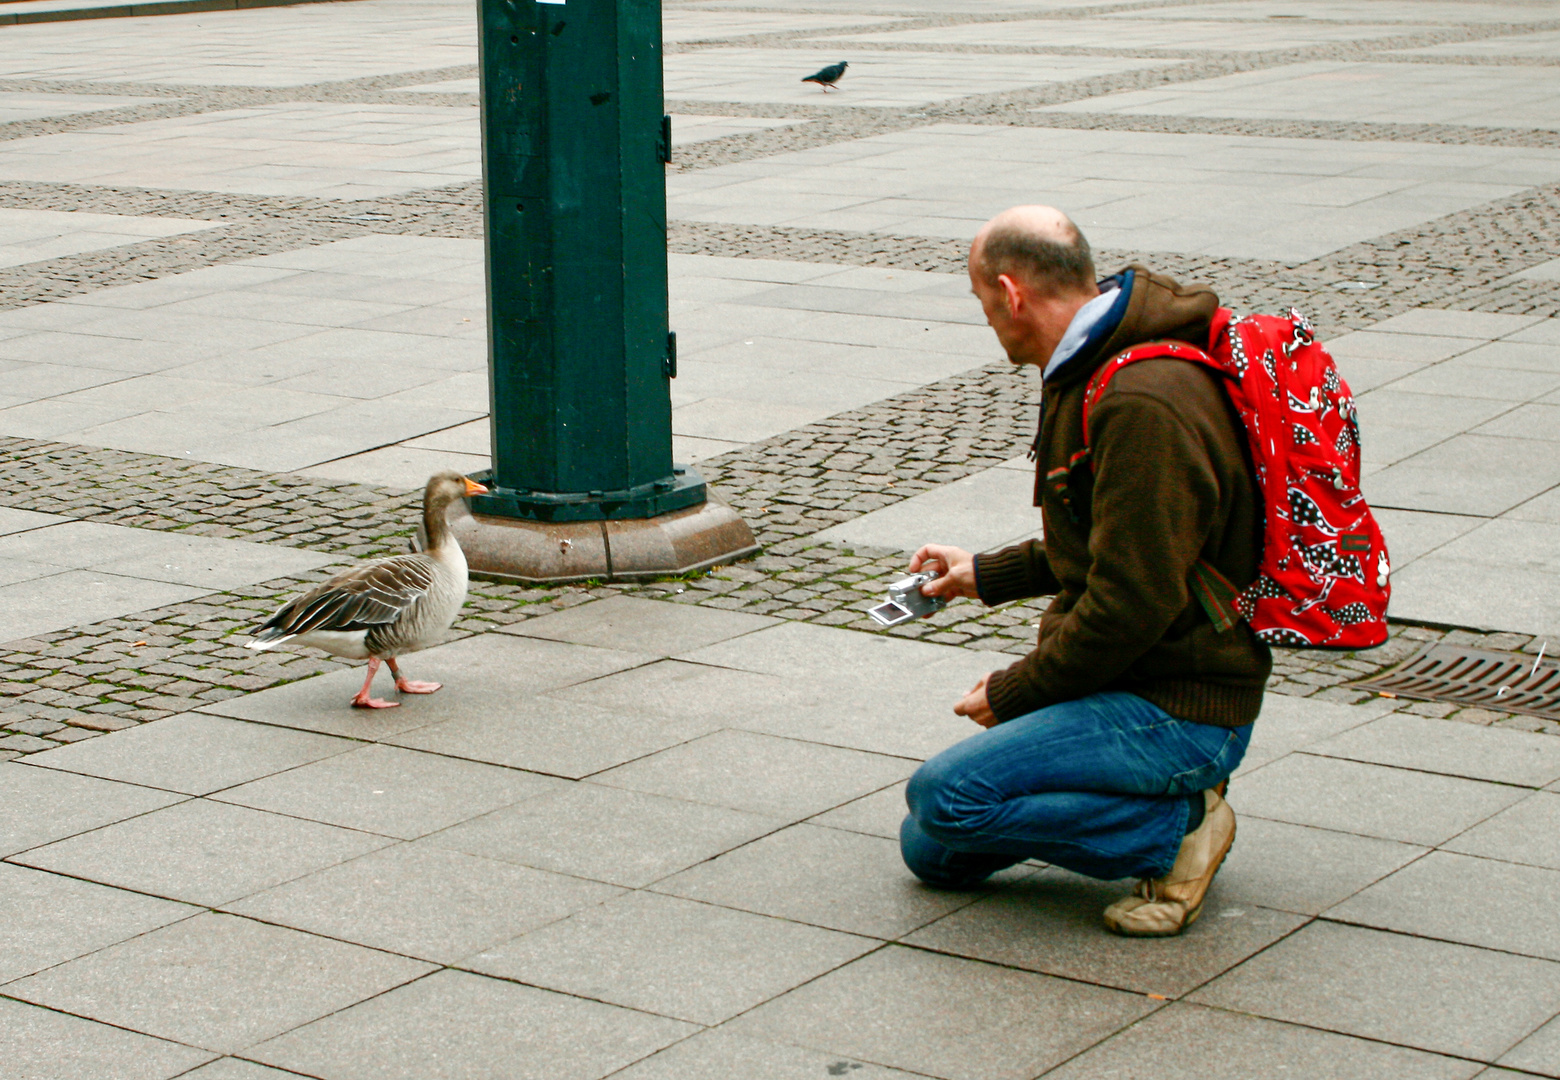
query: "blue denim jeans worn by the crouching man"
1096, 786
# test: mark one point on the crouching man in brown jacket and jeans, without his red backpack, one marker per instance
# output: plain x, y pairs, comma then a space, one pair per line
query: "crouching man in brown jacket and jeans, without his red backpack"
1105, 748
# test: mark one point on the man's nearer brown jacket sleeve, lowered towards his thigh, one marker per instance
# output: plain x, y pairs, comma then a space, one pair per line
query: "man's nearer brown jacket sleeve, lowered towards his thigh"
1155, 499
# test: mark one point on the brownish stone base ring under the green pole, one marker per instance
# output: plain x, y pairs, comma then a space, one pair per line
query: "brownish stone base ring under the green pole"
520, 550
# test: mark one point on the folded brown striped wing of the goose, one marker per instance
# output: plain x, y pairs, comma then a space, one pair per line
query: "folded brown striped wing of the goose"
356, 600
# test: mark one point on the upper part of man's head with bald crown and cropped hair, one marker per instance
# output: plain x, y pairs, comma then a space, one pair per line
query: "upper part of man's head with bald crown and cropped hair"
1038, 246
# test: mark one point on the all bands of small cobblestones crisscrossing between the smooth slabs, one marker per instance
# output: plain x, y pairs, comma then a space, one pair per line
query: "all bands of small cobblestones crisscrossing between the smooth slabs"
73, 683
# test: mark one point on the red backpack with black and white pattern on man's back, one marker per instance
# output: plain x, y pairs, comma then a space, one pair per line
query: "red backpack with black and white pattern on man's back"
1322, 583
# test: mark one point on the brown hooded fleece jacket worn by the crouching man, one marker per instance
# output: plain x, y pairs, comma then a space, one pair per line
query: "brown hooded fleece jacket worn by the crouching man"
1169, 483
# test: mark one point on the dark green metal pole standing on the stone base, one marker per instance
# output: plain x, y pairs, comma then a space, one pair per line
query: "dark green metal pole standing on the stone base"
580, 355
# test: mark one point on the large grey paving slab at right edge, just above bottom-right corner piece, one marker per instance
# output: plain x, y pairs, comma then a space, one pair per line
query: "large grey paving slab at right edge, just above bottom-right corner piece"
1413, 992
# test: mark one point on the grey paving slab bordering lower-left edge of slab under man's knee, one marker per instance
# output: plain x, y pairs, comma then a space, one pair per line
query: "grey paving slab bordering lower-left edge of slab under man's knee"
672, 957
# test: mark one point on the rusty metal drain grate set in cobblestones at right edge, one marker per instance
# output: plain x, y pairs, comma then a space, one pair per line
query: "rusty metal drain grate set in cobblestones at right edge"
1500, 681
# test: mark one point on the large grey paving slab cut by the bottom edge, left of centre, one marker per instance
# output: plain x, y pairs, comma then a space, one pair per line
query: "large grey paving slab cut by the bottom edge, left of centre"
455, 1025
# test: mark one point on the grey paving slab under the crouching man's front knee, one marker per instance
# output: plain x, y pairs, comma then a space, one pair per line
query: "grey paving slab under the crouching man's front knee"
826, 878
